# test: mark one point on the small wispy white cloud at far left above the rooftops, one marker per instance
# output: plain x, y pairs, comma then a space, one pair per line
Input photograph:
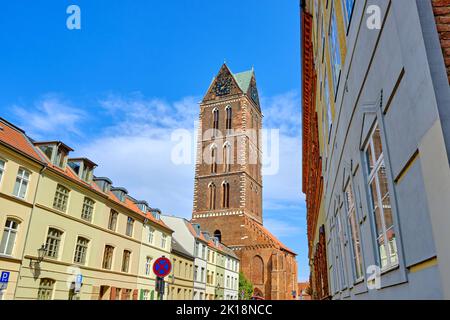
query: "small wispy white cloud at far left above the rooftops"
50, 117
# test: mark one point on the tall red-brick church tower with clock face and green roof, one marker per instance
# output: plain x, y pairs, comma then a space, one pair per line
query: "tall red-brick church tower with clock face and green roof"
228, 183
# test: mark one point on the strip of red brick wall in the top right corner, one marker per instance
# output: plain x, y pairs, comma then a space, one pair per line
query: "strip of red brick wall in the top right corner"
441, 9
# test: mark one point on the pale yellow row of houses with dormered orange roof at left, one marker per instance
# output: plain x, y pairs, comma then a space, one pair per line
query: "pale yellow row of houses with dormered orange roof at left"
96, 237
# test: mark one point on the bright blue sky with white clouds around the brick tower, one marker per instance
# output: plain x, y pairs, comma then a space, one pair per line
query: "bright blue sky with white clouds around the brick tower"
116, 89
